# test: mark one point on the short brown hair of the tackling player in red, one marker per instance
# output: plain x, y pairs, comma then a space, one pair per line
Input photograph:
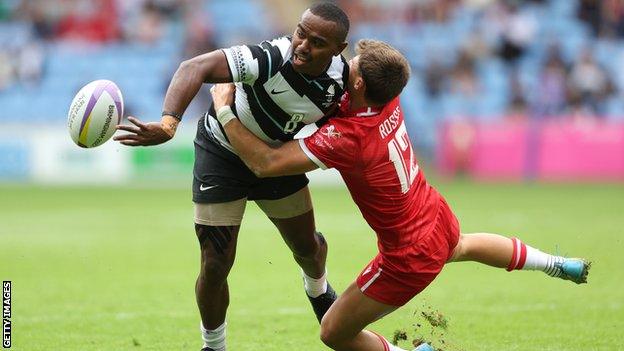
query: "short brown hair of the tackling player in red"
384, 69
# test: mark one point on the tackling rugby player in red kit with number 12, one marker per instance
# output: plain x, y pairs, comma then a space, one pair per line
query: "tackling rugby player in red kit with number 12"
417, 232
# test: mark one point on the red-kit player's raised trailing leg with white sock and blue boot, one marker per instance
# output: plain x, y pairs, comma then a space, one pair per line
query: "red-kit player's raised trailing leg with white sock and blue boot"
502, 252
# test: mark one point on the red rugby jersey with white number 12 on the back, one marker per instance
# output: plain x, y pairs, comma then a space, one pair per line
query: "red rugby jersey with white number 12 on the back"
372, 151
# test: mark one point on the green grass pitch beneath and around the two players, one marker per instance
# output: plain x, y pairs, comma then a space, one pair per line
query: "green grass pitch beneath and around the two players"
114, 269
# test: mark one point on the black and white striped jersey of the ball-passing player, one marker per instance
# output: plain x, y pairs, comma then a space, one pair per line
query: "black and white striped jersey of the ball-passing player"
272, 100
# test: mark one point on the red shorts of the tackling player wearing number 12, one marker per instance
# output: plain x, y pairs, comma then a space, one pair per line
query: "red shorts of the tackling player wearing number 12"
396, 277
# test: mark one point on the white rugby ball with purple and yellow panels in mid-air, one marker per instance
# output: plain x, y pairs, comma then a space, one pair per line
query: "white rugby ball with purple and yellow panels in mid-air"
94, 113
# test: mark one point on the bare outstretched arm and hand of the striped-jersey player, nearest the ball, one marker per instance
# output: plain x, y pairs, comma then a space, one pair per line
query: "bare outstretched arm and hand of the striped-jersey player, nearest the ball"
186, 82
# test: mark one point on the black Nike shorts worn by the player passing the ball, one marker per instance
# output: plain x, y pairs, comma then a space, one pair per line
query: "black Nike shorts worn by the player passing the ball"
221, 176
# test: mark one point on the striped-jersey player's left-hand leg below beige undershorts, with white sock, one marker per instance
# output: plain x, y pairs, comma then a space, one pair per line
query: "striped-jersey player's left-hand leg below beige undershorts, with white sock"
218, 249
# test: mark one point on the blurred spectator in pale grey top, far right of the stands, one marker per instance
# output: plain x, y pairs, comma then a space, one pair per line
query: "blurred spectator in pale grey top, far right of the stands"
589, 83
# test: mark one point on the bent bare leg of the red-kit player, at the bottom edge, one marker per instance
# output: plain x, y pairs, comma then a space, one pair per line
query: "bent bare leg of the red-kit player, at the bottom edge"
343, 326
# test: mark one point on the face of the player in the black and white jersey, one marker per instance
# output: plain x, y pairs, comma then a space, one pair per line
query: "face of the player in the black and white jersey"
315, 42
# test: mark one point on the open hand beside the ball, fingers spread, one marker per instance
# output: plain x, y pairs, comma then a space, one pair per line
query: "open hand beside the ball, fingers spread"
143, 134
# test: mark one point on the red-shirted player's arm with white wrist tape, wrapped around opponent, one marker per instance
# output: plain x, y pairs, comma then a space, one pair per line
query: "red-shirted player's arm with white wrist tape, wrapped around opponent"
262, 159
